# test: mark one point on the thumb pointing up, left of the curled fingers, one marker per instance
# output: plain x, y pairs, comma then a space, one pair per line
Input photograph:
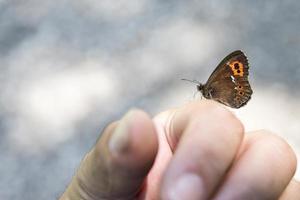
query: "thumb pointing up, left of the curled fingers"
116, 170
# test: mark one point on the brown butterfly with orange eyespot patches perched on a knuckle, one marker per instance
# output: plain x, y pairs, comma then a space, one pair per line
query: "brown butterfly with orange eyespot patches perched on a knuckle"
228, 83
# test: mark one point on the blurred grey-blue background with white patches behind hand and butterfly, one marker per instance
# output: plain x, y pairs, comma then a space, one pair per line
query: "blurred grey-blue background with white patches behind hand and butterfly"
70, 67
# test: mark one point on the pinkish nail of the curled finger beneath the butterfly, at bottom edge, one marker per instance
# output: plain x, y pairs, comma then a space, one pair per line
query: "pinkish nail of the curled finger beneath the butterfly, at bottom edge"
188, 186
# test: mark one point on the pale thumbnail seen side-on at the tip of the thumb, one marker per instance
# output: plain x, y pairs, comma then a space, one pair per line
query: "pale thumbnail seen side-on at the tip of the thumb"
119, 140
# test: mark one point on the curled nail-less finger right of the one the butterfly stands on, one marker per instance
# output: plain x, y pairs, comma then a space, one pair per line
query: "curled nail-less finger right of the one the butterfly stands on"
263, 169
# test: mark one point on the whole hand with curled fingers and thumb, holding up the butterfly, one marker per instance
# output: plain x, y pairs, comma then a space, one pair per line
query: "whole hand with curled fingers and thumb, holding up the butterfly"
198, 151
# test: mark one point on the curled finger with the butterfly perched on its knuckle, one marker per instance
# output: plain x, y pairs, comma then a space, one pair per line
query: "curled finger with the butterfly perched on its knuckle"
205, 138
